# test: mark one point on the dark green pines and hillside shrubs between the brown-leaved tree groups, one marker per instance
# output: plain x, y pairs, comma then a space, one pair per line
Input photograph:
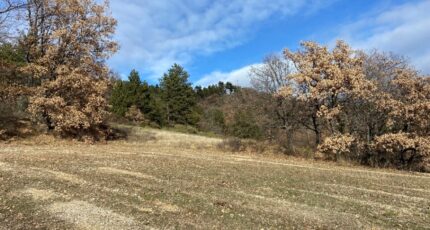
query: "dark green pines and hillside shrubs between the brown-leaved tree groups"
175, 102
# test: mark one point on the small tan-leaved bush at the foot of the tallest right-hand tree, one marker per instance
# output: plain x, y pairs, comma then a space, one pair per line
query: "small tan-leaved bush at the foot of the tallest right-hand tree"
340, 147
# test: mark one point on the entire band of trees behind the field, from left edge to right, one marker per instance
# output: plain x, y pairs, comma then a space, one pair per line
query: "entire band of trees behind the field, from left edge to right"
342, 104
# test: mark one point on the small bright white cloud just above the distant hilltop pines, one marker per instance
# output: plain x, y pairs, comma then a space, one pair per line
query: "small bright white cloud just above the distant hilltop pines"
237, 77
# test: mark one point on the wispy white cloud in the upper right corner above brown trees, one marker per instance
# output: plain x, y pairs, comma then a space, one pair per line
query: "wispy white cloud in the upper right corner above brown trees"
403, 29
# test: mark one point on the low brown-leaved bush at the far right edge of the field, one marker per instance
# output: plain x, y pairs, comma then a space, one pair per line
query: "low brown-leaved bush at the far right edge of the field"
403, 151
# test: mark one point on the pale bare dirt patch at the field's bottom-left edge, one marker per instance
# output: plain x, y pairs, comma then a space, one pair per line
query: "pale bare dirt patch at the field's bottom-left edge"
87, 216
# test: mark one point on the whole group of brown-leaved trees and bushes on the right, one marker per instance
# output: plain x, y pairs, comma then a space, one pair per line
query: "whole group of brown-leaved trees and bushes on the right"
372, 108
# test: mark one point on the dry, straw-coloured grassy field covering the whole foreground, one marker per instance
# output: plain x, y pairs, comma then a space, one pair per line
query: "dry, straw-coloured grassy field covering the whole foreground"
160, 179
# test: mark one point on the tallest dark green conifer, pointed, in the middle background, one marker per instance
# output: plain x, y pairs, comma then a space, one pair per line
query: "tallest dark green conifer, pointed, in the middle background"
178, 97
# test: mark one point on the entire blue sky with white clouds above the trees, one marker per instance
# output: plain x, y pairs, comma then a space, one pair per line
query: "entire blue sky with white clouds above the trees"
220, 40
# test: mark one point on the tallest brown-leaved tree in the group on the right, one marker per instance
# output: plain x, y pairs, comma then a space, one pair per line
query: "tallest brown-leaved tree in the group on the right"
323, 81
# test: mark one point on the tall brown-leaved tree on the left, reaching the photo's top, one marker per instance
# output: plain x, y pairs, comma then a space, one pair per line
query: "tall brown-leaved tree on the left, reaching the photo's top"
67, 44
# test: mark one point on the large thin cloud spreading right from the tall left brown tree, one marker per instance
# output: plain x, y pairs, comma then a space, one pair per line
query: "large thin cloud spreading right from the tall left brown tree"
155, 34
